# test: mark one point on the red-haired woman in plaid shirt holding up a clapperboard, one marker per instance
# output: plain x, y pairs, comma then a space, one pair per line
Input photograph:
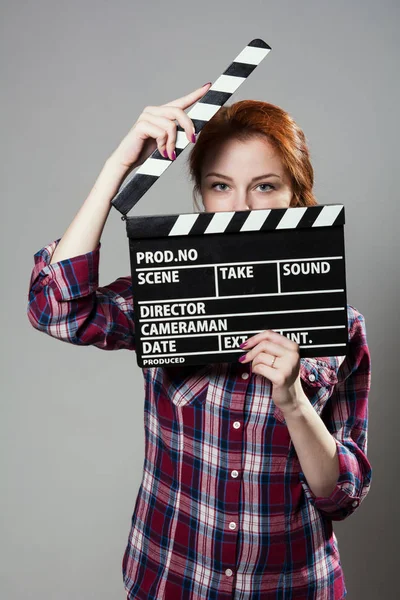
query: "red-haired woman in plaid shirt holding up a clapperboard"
246, 464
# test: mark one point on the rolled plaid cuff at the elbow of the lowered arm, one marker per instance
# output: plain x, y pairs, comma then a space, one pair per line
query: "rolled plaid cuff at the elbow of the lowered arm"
352, 486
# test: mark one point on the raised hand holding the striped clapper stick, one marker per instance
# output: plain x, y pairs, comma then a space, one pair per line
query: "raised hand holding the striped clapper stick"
156, 128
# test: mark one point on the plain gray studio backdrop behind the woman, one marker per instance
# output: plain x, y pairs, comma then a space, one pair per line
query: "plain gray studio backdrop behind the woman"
75, 77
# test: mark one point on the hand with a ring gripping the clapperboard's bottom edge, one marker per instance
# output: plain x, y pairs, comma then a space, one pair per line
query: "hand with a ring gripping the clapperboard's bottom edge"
285, 373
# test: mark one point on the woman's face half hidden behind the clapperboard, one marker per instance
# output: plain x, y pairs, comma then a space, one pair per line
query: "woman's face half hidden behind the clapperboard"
245, 175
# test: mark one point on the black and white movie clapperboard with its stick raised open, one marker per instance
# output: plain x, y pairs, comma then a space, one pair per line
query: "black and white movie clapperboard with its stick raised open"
203, 283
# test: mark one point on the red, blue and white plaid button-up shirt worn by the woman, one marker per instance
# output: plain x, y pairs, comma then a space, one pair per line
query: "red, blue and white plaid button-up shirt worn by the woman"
223, 510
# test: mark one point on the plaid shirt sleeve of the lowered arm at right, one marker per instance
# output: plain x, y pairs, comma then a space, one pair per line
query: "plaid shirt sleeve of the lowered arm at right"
346, 417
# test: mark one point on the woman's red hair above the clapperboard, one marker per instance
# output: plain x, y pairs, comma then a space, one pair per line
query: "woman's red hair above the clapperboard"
246, 119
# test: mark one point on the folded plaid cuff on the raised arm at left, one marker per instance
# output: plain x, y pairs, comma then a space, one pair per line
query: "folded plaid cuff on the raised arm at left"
69, 278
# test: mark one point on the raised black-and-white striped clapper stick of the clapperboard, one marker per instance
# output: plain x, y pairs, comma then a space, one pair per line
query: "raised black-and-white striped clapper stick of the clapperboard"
140, 181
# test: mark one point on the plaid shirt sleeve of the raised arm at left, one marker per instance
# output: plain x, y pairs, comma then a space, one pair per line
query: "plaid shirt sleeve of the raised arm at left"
66, 302
